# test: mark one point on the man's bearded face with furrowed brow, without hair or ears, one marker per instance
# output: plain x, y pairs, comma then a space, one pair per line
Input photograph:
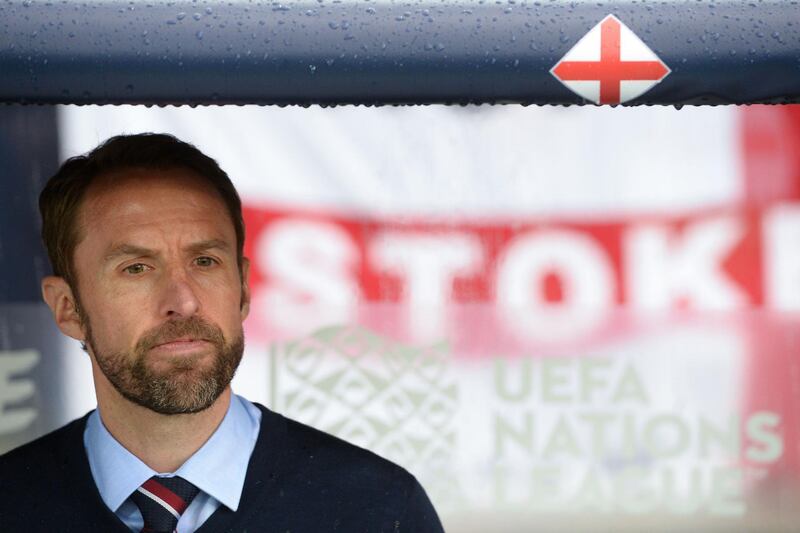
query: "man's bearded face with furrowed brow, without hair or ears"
159, 288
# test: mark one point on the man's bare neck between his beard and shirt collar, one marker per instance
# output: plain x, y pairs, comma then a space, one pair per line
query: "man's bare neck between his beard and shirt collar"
162, 442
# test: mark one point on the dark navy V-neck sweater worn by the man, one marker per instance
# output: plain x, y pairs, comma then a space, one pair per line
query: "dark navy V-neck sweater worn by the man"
299, 480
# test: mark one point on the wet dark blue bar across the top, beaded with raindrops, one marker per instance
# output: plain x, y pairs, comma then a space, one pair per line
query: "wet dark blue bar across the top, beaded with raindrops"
331, 52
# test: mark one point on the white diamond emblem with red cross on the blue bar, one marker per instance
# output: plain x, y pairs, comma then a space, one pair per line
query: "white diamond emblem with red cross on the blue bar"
610, 65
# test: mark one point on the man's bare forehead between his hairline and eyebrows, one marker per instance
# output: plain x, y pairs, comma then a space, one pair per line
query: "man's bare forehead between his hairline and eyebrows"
141, 197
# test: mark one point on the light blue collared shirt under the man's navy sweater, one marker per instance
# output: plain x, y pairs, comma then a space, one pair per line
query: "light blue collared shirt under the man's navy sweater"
218, 468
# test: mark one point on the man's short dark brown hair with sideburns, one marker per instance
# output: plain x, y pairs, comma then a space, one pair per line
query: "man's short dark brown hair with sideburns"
62, 197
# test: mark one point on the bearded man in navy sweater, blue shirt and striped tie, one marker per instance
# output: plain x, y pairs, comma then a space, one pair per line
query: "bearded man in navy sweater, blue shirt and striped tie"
145, 236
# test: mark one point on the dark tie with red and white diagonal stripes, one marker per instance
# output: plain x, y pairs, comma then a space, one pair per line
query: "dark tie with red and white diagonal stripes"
162, 501
